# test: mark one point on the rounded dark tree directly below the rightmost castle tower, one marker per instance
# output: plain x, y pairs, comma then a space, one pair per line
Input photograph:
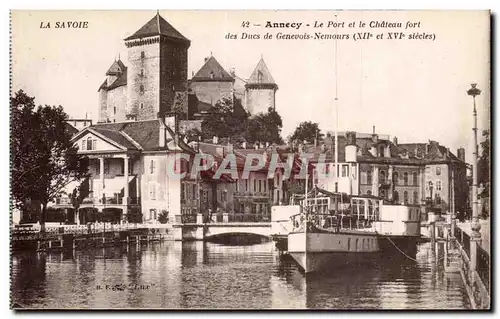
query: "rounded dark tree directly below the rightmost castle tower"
265, 127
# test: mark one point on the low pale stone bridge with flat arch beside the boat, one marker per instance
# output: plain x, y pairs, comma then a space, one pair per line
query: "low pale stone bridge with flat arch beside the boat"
207, 231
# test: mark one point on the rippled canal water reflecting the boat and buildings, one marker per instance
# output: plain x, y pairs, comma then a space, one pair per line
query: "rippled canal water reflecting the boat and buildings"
206, 275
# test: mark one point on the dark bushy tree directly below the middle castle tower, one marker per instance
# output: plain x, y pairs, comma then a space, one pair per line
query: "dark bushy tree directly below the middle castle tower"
226, 119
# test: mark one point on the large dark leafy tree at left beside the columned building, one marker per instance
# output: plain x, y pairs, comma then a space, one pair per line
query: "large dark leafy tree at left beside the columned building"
45, 160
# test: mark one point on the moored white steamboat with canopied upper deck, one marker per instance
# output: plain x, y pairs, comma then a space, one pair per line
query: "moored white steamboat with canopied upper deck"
331, 230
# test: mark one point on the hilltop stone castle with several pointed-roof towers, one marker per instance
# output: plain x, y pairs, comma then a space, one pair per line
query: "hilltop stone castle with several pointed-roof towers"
154, 81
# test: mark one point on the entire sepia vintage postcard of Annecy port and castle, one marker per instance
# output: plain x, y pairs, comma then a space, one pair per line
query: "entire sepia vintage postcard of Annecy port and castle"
250, 160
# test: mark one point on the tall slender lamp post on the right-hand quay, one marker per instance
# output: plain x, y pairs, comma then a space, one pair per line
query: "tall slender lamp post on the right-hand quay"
476, 226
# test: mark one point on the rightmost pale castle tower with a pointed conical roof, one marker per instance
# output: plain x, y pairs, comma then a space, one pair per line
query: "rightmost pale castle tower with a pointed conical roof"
260, 90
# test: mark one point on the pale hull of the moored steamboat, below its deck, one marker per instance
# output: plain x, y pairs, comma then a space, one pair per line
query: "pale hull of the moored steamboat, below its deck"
317, 252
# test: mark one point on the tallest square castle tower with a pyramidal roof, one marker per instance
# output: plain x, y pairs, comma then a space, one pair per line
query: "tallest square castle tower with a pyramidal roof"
157, 70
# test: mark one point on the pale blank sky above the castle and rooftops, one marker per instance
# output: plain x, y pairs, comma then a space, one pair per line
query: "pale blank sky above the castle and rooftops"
412, 89
